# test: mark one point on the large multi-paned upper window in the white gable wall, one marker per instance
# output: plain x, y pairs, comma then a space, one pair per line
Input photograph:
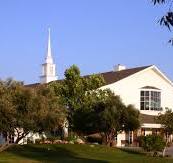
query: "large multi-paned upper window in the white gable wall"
150, 100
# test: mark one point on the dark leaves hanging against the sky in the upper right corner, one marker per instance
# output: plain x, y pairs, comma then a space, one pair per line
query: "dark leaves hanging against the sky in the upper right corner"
167, 18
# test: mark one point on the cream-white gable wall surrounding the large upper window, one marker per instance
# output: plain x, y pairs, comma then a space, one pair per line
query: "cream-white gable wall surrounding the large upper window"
129, 89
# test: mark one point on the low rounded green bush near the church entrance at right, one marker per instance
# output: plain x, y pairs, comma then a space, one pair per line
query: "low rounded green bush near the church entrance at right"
152, 143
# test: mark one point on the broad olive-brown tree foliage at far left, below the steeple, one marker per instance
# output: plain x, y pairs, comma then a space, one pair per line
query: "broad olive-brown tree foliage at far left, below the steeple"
24, 109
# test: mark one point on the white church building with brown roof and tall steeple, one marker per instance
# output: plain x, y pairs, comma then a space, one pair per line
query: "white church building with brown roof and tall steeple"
145, 87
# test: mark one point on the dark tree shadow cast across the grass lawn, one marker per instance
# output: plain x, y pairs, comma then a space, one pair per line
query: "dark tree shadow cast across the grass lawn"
49, 154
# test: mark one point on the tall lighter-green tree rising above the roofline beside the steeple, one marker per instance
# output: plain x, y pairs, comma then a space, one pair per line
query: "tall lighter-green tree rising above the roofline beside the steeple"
74, 88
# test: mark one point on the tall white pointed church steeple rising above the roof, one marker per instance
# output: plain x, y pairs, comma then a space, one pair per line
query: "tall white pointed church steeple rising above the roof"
48, 68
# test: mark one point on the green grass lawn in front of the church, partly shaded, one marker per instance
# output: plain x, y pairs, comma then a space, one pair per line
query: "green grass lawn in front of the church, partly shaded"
74, 153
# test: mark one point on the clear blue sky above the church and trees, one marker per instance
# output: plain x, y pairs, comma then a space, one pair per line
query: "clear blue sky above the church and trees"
93, 34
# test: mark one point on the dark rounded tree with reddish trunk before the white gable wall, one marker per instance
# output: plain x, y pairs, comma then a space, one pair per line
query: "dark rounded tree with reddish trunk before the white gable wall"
107, 115
